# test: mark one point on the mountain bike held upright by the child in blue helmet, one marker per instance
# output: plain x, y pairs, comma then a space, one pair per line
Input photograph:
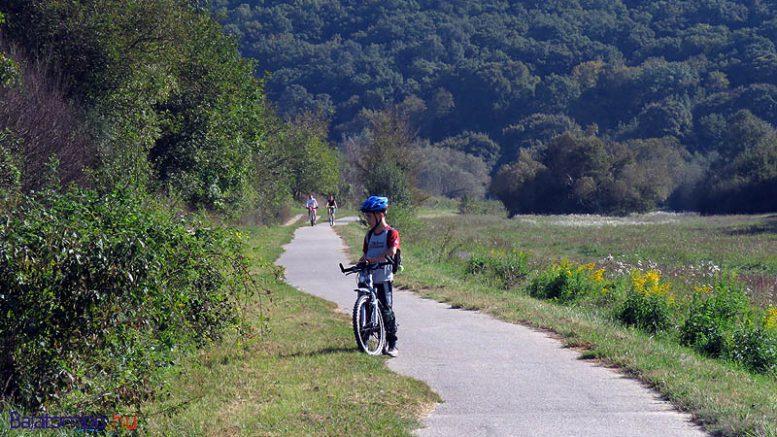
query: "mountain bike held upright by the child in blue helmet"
368, 327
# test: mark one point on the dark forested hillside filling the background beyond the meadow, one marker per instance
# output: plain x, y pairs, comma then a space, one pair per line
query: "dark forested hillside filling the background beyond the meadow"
688, 88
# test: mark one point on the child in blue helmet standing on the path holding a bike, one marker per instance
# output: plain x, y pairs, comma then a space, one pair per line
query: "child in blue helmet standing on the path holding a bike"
382, 241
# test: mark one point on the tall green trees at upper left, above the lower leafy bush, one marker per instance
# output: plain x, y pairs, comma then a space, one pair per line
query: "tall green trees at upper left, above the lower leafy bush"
167, 99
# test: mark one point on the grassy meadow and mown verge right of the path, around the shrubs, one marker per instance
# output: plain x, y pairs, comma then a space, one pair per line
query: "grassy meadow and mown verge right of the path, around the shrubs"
722, 396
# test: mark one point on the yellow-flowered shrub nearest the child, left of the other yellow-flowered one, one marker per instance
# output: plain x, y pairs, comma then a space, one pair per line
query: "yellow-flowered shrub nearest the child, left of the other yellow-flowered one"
566, 282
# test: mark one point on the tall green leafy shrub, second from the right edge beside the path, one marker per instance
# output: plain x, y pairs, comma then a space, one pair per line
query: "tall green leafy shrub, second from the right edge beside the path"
712, 315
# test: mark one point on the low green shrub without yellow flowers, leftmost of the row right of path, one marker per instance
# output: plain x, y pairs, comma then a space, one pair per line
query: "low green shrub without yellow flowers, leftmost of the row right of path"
507, 266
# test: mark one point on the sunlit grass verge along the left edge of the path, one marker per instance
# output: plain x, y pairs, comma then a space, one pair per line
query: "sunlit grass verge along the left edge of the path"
294, 370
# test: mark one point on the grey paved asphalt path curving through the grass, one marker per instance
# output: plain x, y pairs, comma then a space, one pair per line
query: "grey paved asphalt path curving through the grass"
496, 378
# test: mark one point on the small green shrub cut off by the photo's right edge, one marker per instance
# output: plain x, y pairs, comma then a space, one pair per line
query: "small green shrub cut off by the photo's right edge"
755, 347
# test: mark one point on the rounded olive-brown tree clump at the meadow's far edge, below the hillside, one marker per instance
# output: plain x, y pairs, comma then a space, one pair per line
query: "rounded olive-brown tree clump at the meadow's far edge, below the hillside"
577, 172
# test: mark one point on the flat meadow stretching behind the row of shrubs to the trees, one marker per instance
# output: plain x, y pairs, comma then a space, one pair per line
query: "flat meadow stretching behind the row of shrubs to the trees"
680, 245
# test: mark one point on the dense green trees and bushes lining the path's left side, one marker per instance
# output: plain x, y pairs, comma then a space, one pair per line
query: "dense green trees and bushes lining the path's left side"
104, 105
